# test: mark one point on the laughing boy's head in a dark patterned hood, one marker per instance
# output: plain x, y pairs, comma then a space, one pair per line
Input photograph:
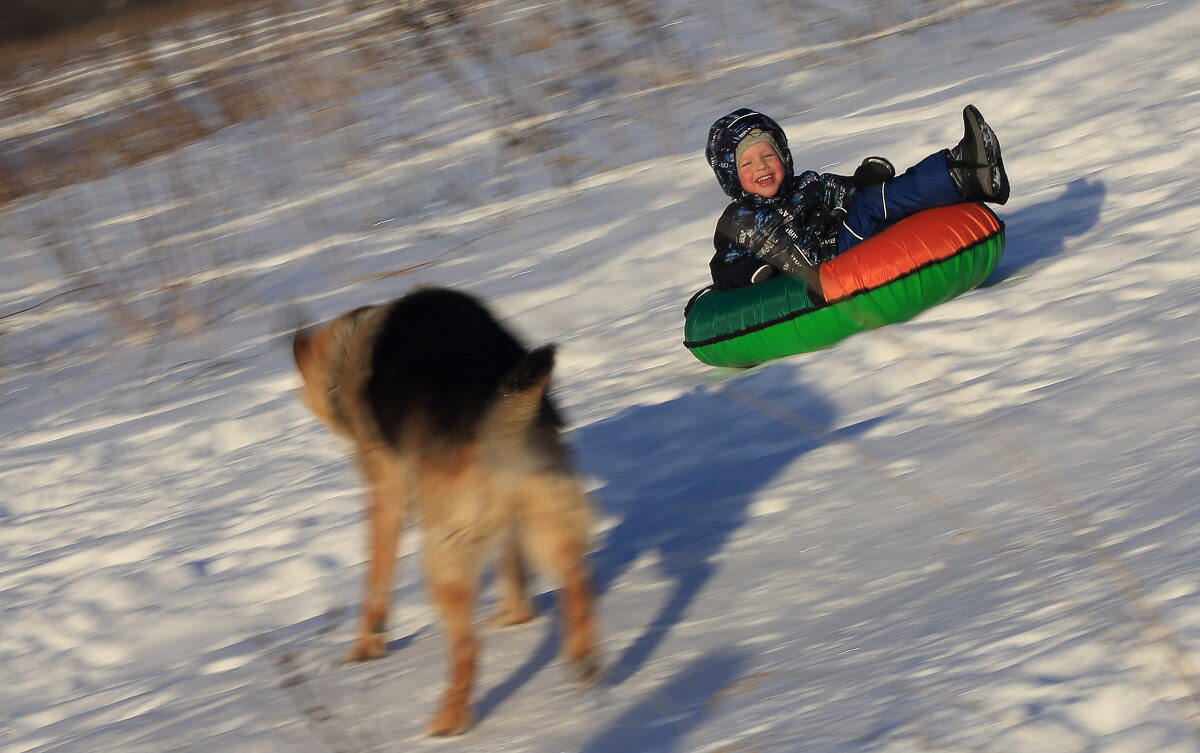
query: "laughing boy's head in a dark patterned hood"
748, 152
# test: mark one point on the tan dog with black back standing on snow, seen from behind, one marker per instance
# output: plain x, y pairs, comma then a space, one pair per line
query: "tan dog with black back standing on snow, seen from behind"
449, 418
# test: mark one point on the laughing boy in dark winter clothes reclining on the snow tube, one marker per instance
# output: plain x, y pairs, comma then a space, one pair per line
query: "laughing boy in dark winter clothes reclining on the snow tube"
791, 224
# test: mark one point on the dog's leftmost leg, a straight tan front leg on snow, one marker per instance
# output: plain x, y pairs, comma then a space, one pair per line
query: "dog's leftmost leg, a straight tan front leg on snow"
386, 516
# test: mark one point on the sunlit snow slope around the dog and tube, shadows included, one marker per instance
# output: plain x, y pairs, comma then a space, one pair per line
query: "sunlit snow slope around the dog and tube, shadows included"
974, 532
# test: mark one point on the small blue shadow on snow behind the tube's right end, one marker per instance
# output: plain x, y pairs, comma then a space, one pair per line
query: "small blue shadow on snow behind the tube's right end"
1039, 233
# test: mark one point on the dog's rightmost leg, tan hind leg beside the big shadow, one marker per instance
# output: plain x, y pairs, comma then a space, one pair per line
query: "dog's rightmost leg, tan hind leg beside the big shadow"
556, 534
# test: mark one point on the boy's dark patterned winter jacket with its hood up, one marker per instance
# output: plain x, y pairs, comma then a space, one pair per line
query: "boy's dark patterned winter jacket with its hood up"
794, 231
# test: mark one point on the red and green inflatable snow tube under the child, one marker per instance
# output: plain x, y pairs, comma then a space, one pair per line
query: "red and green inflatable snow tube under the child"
919, 263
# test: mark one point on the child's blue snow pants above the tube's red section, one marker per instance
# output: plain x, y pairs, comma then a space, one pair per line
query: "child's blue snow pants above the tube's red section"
925, 185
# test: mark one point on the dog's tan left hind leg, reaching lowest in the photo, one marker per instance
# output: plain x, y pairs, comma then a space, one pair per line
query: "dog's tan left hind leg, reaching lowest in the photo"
452, 571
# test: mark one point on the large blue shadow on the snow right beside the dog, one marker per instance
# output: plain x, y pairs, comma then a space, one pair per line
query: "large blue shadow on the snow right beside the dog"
680, 479
